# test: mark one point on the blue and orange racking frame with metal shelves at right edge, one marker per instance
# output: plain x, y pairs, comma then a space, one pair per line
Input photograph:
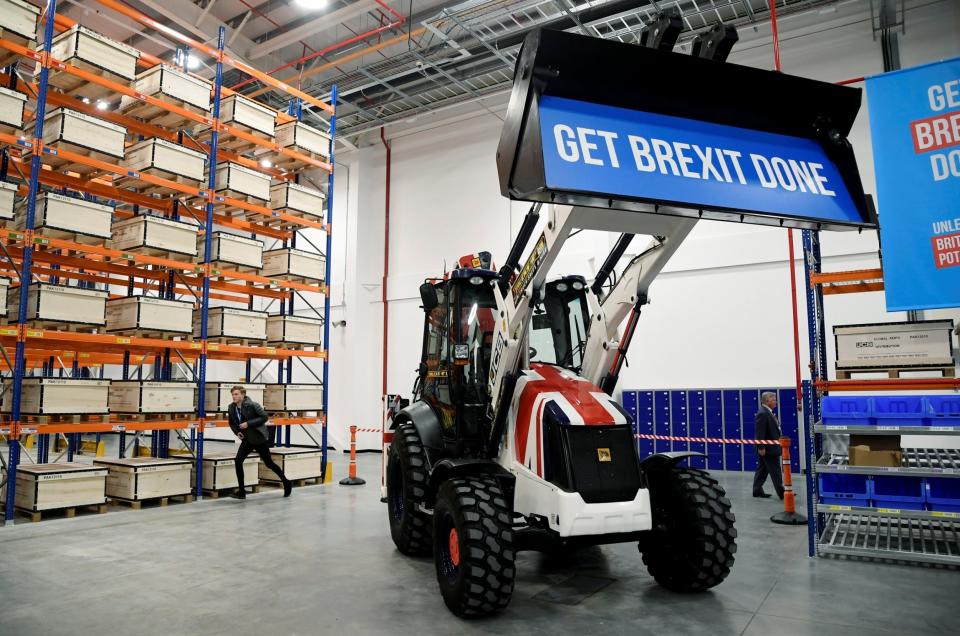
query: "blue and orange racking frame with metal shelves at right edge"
888, 533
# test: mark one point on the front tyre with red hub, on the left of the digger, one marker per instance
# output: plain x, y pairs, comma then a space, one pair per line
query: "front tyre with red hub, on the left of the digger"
473, 546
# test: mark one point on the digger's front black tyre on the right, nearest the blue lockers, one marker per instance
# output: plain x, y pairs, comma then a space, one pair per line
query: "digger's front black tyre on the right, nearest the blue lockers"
692, 543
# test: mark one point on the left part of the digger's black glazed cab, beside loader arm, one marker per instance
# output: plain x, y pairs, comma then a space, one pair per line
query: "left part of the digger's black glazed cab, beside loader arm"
458, 330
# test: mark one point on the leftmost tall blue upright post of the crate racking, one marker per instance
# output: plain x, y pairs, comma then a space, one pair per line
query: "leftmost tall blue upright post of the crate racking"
26, 268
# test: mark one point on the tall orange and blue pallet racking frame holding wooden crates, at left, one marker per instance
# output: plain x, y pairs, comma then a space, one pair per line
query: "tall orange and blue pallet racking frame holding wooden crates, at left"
30, 255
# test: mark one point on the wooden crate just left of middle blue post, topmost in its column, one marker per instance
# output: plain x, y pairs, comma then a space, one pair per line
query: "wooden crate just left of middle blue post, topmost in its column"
172, 86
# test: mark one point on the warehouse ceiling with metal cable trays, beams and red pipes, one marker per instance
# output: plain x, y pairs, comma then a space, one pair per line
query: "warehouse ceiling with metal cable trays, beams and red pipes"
394, 60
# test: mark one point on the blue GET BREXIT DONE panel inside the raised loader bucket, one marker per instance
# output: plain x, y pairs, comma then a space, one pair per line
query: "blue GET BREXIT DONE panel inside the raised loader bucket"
617, 152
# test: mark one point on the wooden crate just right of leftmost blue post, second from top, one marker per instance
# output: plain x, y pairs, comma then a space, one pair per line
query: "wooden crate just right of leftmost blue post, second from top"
65, 128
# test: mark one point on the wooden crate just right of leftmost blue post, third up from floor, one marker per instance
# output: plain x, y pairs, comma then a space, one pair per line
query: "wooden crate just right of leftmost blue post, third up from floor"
62, 304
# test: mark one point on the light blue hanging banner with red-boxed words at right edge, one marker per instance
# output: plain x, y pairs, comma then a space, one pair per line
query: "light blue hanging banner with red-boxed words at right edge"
915, 126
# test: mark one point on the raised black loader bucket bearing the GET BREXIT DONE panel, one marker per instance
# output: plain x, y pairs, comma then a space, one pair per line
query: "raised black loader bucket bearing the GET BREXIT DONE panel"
604, 124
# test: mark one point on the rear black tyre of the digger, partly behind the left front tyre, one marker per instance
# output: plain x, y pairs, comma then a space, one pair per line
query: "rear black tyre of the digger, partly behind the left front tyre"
406, 490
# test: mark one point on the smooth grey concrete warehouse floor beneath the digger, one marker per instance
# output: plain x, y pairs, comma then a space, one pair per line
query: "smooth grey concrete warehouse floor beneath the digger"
322, 563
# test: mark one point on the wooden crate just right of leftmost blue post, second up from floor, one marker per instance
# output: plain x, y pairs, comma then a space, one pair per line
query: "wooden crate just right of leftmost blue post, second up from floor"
59, 396
